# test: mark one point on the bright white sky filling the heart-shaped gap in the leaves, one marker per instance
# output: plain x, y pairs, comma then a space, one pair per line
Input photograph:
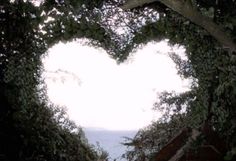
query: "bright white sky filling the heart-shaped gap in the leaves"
100, 93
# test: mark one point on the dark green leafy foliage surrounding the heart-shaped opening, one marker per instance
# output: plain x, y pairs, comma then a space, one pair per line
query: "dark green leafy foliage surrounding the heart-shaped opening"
32, 129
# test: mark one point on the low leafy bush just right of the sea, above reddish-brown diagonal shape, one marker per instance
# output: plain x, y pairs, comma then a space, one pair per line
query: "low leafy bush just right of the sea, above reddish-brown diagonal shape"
148, 141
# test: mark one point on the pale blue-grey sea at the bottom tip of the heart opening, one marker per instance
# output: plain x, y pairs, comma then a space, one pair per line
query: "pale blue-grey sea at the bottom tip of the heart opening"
110, 141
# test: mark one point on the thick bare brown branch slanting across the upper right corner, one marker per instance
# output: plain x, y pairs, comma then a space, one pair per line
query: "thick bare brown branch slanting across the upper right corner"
186, 9
